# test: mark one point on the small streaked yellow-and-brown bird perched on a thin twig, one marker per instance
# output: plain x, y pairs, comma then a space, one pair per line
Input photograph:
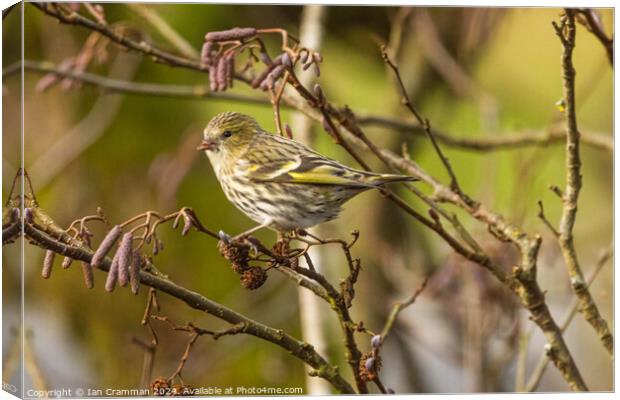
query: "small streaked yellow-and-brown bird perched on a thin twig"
278, 182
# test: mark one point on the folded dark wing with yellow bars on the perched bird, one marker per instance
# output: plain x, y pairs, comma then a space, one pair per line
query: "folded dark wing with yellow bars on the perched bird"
305, 169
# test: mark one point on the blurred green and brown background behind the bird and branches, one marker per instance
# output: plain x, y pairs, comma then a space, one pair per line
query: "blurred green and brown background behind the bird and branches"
85, 148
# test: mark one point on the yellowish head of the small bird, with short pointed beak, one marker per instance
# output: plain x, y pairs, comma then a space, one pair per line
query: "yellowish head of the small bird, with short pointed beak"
229, 134
